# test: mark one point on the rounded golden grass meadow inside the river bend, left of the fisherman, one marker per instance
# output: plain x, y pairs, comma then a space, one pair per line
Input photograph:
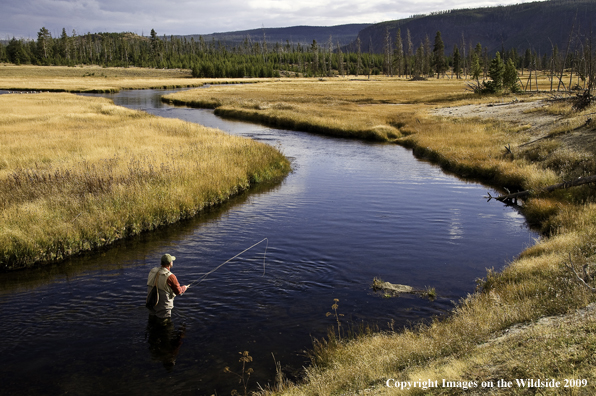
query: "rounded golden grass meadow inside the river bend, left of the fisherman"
78, 173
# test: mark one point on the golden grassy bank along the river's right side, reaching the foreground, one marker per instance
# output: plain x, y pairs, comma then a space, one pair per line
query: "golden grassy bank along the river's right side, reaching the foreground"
497, 332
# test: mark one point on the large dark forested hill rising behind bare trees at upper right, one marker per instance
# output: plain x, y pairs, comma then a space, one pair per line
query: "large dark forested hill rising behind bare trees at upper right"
537, 25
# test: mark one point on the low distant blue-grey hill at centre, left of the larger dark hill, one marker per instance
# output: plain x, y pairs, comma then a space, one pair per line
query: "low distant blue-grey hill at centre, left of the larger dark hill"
303, 35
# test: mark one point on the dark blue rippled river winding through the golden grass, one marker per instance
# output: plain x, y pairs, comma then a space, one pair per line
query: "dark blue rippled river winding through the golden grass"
350, 211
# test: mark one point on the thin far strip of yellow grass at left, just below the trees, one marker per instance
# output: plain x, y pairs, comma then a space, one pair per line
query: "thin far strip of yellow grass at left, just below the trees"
98, 79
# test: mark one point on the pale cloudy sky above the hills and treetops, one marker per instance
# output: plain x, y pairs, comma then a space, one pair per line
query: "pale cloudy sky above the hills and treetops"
24, 18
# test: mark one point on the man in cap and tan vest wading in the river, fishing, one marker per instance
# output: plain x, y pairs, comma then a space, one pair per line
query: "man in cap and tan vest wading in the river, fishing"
167, 286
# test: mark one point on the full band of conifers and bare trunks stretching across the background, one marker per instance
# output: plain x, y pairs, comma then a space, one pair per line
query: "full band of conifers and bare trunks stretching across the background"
258, 58
